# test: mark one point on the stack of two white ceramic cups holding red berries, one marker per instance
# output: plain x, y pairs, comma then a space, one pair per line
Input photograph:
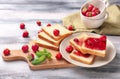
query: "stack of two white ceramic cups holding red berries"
95, 21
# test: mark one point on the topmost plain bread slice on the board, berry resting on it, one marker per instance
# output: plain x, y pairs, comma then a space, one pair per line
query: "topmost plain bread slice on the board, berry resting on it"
63, 31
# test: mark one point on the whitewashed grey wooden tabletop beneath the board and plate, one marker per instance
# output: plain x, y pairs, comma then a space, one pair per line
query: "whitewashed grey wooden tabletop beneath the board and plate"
13, 12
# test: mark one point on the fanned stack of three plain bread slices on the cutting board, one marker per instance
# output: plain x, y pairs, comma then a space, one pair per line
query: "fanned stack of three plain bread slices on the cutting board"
48, 39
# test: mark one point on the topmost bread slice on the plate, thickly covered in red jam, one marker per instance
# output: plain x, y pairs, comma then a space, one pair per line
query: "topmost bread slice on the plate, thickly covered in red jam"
95, 49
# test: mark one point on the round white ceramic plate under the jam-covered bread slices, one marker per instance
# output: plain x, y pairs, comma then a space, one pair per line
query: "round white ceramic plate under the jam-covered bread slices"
99, 61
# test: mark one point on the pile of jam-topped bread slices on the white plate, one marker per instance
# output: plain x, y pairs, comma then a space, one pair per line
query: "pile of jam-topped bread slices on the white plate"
87, 47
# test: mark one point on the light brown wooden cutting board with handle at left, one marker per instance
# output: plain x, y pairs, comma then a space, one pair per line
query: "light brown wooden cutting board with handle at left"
53, 63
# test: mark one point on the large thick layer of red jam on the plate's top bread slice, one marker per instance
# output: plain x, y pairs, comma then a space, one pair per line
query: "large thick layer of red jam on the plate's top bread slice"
96, 43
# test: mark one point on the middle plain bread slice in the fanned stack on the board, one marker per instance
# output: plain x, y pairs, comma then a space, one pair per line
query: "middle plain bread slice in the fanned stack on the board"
44, 36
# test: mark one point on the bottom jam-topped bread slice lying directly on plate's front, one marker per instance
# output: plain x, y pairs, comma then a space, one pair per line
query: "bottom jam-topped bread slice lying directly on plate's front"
84, 58
